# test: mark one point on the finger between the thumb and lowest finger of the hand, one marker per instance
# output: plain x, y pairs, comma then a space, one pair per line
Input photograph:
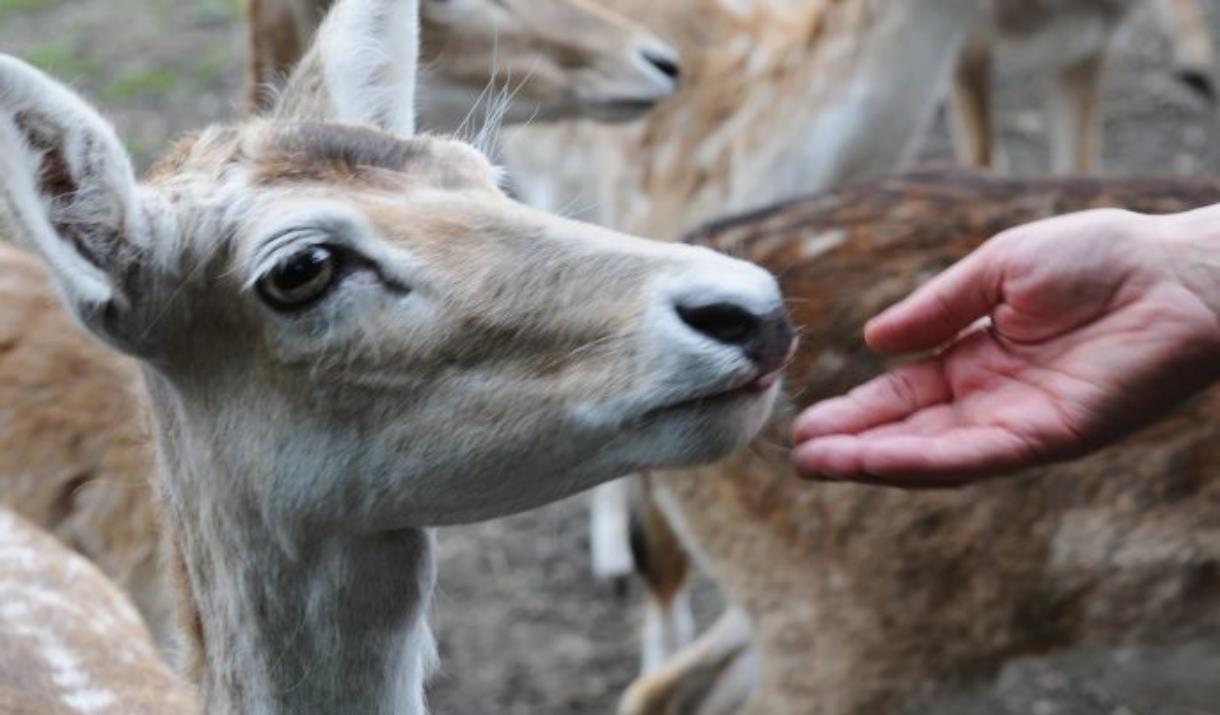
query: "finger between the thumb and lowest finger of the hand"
885, 400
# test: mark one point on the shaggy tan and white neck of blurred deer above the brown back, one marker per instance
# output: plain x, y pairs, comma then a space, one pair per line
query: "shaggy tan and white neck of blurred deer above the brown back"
869, 80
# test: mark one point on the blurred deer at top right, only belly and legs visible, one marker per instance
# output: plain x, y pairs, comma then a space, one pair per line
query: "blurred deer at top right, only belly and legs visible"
1071, 42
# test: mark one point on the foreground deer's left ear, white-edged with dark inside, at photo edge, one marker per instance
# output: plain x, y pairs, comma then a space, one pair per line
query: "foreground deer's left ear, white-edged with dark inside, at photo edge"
69, 189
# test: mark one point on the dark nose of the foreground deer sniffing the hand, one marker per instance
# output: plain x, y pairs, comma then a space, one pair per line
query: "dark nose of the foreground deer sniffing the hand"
766, 339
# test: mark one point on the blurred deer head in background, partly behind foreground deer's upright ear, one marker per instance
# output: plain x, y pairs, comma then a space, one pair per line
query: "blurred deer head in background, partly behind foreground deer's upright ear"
552, 59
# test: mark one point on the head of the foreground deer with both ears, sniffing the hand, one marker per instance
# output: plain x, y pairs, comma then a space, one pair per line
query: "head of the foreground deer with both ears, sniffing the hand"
351, 296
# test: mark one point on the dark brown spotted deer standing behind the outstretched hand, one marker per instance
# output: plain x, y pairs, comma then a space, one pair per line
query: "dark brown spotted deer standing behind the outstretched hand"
852, 601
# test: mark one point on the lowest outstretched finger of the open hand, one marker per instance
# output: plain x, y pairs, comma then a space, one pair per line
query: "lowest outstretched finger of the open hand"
950, 459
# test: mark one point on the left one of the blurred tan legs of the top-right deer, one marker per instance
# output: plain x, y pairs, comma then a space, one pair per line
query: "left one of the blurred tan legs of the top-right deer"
973, 131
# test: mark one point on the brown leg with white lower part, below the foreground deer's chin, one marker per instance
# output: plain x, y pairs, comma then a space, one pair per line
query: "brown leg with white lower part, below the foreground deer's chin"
664, 567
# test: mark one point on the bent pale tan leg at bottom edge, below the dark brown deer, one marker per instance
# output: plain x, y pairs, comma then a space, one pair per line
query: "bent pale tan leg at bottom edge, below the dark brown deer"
712, 677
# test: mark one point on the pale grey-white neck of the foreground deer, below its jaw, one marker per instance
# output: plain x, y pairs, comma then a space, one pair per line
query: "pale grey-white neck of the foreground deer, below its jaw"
291, 623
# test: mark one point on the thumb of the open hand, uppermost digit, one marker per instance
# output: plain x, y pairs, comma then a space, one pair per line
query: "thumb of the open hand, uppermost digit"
942, 308
